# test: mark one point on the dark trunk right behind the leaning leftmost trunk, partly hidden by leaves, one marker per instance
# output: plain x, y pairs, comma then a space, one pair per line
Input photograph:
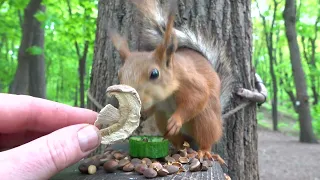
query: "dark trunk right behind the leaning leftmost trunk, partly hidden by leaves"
37, 74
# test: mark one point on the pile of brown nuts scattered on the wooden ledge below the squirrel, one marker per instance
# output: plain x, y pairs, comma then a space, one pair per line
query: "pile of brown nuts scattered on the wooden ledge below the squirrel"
113, 160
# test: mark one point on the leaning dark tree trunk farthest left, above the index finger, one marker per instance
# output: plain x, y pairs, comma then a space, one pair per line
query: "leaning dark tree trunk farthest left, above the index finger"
20, 83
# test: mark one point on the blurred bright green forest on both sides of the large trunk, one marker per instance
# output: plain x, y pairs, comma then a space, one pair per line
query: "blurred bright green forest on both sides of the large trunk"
46, 50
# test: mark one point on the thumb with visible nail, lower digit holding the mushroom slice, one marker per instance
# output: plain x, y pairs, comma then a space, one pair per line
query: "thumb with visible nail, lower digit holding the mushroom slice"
46, 156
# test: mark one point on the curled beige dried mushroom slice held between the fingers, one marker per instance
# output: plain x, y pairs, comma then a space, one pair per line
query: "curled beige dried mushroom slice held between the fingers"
119, 124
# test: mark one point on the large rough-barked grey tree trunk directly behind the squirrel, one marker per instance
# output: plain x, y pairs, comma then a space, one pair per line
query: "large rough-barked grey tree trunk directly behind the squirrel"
230, 21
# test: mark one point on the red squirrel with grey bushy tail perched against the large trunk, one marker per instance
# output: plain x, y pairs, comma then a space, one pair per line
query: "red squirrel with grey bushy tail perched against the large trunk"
184, 81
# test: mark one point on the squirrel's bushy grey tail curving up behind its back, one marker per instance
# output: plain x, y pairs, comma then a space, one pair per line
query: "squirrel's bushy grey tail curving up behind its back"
200, 40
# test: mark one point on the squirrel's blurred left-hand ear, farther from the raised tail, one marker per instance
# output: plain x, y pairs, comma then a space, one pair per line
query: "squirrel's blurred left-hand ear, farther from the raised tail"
120, 44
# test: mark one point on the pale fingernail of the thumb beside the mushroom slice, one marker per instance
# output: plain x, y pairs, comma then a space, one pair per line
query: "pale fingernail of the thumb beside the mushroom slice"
88, 138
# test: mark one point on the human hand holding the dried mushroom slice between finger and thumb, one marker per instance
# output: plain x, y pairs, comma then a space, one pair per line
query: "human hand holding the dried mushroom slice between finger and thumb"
45, 136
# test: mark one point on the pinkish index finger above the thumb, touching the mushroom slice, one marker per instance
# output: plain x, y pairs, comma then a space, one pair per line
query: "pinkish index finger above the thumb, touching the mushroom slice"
22, 112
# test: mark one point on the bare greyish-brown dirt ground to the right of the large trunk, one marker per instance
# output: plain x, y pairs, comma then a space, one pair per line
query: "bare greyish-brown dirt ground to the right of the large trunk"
282, 156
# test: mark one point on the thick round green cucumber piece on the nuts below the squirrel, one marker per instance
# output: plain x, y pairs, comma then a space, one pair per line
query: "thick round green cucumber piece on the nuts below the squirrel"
148, 146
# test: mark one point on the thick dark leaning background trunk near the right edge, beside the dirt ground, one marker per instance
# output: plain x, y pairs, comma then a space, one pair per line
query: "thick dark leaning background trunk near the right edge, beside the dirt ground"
306, 133
